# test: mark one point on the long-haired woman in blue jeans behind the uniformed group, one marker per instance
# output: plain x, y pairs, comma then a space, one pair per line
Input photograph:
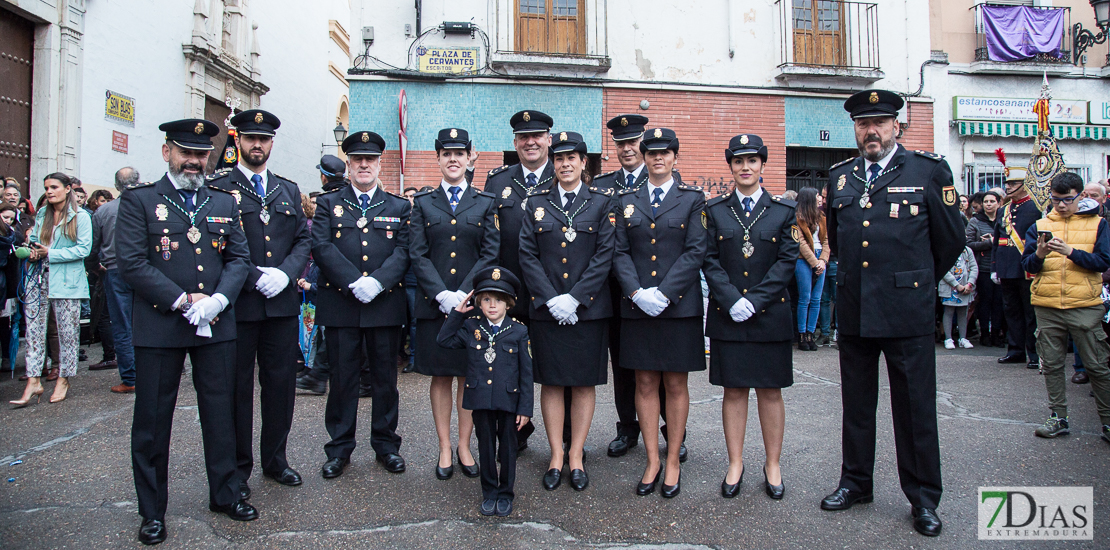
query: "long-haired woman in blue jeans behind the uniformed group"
810, 269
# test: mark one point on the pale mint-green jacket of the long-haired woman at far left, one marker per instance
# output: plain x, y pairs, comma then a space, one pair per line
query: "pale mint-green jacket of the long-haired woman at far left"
67, 257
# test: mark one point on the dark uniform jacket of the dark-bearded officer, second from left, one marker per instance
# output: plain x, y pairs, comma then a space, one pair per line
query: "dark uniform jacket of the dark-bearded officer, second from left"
281, 243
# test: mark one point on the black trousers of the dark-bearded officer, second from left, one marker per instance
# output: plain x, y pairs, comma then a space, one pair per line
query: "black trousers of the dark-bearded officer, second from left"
274, 344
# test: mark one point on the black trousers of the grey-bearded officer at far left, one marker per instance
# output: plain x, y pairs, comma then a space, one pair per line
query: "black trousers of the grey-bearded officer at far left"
157, 382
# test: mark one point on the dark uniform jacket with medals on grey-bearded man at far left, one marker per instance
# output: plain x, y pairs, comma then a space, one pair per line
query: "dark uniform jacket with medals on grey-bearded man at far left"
153, 216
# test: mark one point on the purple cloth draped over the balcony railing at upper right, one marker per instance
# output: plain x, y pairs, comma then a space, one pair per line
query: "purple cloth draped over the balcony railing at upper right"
1017, 33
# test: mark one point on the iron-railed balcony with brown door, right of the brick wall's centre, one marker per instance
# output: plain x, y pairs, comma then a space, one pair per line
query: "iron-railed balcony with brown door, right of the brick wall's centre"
828, 42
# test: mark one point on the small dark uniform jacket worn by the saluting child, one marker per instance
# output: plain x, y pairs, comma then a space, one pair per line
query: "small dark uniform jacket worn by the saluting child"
506, 385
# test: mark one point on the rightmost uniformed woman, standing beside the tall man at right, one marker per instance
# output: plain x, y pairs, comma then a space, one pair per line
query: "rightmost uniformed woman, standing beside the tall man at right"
753, 249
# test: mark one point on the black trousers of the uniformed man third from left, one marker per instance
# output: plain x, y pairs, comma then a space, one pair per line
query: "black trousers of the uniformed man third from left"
346, 346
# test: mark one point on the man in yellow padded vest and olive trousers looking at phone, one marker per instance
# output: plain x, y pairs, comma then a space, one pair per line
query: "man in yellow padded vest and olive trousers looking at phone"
1068, 251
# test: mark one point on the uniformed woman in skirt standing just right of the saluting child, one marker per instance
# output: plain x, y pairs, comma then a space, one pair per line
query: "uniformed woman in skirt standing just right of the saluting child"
567, 253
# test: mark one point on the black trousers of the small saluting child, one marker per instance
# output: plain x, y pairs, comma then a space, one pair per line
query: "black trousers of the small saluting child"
497, 432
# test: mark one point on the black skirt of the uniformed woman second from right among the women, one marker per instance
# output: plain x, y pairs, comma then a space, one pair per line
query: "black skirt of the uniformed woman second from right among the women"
663, 345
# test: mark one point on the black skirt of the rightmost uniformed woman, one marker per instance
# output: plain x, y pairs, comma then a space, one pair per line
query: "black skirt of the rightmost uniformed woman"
751, 365
